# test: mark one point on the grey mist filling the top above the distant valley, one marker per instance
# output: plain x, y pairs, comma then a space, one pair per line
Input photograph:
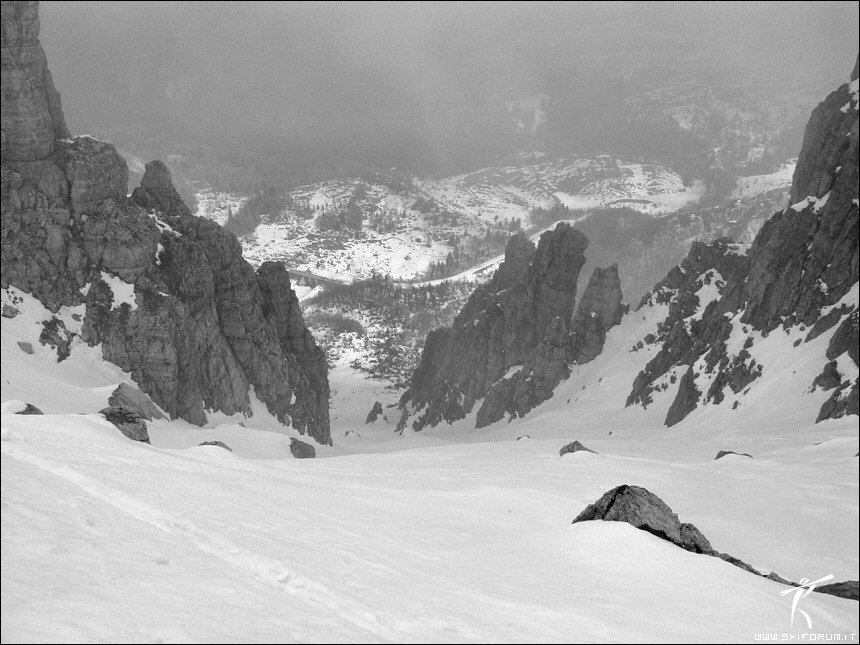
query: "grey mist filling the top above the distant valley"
427, 86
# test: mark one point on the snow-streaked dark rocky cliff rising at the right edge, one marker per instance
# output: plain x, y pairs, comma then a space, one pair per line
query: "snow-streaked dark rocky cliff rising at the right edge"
801, 271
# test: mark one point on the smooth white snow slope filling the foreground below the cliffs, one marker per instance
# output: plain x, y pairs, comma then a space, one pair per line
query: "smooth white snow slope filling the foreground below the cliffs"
449, 535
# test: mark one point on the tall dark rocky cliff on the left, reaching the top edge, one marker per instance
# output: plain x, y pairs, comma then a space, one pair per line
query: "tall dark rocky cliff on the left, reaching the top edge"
167, 295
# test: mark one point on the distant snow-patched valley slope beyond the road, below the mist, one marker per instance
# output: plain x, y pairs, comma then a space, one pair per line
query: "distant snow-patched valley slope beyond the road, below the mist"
640, 216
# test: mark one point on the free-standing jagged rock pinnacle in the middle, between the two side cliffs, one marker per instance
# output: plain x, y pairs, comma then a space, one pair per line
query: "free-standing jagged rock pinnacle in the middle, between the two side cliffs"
514, 340
